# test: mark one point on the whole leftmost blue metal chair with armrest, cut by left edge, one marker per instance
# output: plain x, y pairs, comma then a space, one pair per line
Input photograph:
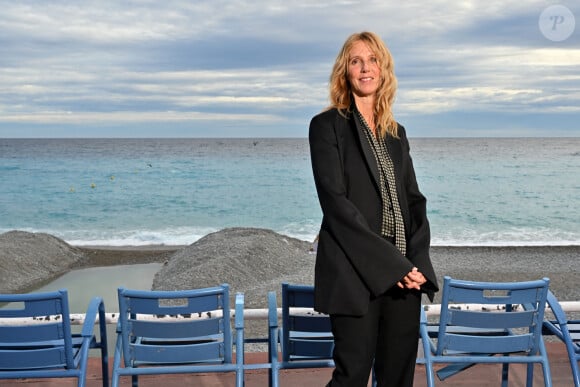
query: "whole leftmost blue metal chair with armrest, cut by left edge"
38, 342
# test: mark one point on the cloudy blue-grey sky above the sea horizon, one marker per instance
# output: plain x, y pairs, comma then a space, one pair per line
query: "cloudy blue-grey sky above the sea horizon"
257, 68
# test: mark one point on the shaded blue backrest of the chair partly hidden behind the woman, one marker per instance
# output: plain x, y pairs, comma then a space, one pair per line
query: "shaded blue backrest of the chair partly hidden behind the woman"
305, 336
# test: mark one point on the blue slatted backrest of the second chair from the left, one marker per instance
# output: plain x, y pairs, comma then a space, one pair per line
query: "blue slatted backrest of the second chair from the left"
182, 326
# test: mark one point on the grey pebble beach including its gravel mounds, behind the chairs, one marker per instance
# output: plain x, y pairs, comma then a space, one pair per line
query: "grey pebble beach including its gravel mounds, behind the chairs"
263, 249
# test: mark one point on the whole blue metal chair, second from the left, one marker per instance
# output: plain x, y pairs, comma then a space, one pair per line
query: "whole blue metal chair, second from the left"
176, 332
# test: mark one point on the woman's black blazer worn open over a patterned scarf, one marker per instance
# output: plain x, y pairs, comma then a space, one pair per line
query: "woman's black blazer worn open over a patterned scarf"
353, 262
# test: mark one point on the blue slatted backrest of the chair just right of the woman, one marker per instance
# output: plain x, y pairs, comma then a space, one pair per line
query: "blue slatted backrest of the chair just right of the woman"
462, 329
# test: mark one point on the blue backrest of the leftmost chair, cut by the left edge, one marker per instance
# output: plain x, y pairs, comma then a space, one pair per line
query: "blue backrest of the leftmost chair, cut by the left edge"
43, 342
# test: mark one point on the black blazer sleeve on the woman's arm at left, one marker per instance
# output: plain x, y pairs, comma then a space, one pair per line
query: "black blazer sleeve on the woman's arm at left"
378, 263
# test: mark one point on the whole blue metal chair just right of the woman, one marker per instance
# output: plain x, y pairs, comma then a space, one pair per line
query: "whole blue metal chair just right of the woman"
465, 336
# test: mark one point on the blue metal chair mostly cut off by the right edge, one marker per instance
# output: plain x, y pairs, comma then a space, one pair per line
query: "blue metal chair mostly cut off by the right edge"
566, 330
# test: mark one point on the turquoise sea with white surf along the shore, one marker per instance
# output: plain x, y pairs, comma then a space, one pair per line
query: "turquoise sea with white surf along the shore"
173, 191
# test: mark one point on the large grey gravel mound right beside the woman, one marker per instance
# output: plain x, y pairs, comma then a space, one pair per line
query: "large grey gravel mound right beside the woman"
252, 261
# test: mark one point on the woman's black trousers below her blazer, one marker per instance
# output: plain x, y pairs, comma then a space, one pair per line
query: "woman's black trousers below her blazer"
387, 334
